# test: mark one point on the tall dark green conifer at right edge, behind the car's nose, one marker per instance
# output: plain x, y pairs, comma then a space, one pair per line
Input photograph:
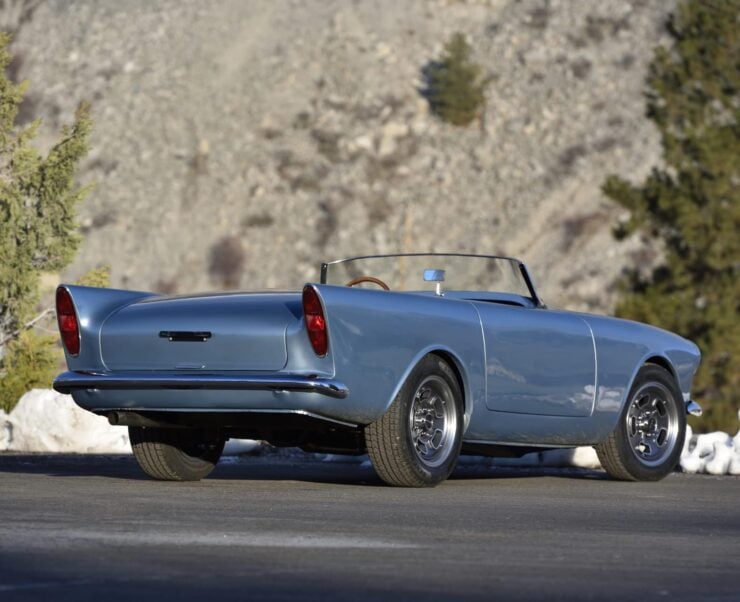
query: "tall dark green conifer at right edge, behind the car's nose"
693, 205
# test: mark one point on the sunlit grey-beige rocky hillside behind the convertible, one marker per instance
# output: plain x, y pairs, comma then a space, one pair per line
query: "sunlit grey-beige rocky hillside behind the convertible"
238, 143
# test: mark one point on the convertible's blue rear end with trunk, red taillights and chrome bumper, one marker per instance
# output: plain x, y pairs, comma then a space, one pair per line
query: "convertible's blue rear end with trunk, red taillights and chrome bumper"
134, 353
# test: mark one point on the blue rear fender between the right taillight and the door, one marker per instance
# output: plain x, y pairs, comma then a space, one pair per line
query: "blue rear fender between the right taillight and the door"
377, 338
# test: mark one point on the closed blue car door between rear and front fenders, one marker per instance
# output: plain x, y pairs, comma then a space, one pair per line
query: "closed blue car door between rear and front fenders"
538, 361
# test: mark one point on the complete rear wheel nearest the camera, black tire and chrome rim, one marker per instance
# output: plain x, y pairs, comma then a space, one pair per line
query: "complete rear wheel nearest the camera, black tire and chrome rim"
416, 443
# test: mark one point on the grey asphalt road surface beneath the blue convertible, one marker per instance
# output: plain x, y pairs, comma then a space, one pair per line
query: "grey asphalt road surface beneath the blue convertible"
275, 528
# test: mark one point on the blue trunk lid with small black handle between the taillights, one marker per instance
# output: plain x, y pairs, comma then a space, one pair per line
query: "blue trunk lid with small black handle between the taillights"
241, 331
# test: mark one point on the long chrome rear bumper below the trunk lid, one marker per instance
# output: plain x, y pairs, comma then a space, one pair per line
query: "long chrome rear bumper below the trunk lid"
70, 381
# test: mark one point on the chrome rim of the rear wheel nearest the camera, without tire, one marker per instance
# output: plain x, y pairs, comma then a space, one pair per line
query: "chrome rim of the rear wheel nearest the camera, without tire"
433, 421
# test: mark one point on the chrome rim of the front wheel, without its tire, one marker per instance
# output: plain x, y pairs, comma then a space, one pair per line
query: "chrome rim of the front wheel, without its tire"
652, 424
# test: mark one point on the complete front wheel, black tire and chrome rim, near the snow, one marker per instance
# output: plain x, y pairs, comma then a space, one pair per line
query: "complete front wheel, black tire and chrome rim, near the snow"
646, 444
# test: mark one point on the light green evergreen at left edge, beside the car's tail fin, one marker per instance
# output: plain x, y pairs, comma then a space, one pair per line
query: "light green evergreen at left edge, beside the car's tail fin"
38, 196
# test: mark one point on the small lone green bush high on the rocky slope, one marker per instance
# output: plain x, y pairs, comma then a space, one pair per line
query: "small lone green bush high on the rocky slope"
455, 85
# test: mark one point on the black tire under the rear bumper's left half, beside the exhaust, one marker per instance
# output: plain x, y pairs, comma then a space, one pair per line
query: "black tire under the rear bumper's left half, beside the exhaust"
175, 454
